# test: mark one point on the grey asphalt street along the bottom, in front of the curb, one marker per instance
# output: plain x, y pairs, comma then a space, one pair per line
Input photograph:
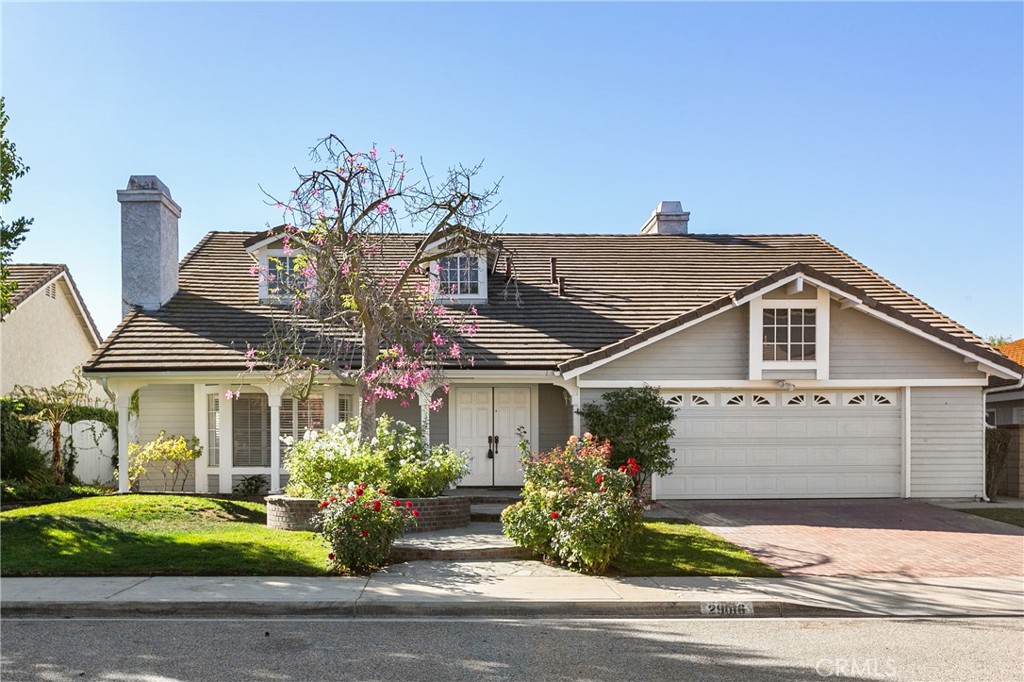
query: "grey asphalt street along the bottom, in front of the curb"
491, 650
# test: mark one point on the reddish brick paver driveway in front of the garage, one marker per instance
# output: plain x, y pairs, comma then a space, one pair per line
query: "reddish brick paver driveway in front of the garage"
863, 538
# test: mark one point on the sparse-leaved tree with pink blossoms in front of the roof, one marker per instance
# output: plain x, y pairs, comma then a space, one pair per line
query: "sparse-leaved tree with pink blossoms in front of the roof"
359, 299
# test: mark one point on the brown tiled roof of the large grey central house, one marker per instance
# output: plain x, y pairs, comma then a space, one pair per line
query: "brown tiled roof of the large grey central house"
617, 286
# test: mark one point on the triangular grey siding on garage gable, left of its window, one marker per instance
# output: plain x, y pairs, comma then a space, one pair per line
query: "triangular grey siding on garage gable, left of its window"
717, 349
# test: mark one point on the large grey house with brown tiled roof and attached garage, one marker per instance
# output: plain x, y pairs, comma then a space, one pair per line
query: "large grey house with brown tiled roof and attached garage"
797, 372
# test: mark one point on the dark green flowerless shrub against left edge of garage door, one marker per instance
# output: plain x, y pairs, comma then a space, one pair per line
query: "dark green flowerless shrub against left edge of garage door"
638, 422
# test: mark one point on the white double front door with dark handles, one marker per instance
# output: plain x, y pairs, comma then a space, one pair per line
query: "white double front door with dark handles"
487, 421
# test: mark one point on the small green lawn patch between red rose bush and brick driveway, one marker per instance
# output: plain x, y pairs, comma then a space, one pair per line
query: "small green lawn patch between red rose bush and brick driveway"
667, 548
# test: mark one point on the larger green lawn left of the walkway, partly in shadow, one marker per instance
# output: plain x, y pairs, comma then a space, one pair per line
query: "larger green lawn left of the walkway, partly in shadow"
153, 535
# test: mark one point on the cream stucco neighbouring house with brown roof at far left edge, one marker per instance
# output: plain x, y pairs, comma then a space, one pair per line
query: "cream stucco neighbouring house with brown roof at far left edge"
50, 333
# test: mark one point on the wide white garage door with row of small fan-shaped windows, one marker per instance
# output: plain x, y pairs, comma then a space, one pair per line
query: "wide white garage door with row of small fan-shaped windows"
785, 445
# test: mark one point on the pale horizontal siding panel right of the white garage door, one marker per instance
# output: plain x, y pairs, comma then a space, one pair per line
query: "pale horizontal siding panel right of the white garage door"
948, 443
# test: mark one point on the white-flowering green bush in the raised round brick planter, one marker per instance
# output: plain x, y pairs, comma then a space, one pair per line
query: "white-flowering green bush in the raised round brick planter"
396, 459
